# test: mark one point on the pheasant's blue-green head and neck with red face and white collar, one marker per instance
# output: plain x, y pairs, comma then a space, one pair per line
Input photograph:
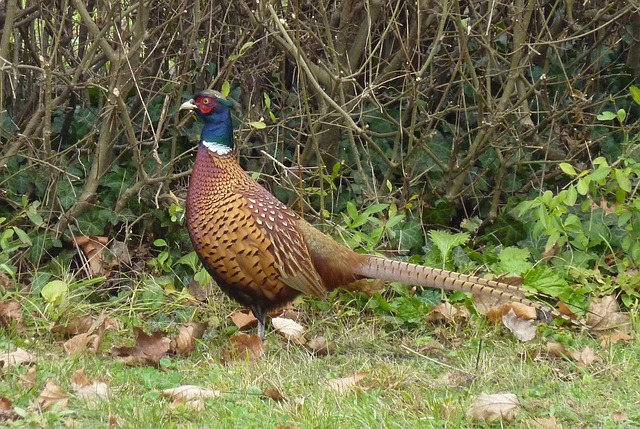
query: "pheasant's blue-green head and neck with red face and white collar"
214, 110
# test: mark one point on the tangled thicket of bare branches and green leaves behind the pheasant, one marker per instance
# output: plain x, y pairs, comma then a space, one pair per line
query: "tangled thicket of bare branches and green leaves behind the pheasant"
514, 124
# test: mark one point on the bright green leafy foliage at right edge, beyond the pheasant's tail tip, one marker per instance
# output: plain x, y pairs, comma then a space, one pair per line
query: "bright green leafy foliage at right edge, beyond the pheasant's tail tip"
596, 217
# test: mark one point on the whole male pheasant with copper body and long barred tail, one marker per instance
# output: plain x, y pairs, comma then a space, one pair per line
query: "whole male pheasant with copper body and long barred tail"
262, 254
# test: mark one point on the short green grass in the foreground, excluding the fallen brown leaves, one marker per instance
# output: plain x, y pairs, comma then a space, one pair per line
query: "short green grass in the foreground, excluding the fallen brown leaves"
402, 388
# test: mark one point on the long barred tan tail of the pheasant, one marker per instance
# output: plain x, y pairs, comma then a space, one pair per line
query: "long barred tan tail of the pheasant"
418, 275
